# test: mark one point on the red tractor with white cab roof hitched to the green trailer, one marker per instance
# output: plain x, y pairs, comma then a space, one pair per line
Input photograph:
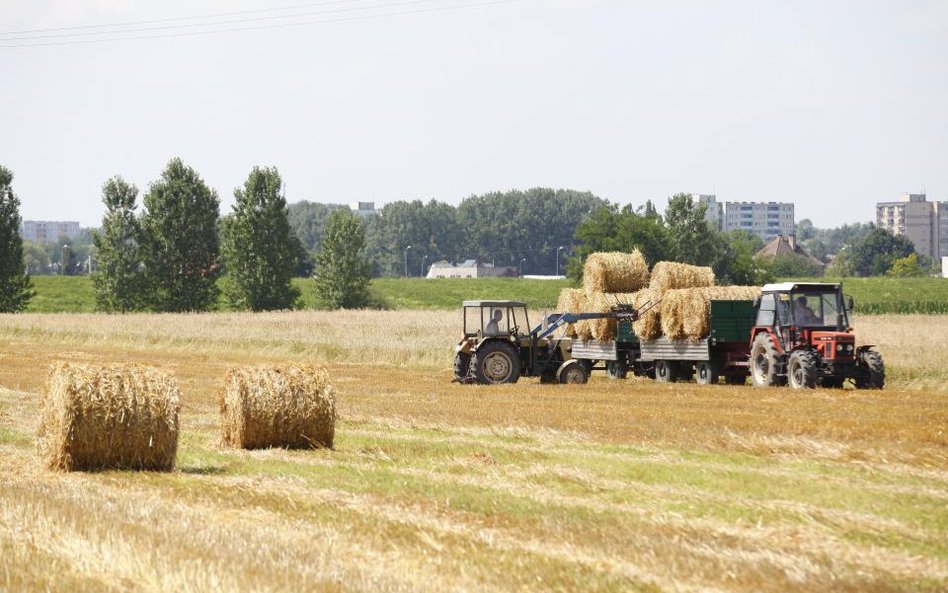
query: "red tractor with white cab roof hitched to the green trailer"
802, 337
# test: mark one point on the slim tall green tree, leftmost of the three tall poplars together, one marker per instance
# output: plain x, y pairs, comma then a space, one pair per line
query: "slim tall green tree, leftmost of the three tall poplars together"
117, 280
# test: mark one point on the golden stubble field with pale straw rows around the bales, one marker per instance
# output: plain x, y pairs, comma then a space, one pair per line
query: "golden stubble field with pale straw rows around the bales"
433, 486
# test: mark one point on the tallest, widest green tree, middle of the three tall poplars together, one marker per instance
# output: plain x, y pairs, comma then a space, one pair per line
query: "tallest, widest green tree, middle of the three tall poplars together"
180, 241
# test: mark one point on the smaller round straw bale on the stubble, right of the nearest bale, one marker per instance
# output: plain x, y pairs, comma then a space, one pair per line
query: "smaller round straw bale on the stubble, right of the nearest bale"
290, 406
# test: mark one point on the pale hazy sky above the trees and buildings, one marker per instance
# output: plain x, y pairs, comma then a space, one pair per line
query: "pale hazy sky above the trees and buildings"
833, 106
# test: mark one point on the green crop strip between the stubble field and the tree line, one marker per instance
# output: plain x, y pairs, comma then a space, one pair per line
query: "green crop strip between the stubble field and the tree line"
875, 296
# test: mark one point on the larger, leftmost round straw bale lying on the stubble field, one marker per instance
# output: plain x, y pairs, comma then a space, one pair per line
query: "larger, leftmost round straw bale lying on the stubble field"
116, 416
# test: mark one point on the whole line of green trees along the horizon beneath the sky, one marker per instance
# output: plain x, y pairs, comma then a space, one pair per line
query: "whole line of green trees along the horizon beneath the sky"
178, 254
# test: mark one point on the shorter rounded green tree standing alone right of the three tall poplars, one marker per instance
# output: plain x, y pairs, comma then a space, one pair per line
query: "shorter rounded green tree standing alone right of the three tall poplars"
342, 270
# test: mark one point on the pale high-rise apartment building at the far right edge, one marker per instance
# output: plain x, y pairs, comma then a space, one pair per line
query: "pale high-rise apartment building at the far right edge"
924, 223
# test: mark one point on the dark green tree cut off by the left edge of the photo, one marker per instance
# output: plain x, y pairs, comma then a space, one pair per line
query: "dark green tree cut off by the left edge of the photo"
16, 288
